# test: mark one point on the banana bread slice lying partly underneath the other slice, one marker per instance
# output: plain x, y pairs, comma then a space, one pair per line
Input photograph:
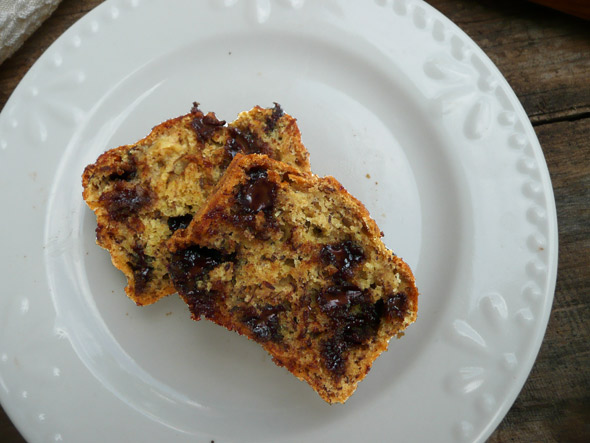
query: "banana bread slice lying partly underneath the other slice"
142, 193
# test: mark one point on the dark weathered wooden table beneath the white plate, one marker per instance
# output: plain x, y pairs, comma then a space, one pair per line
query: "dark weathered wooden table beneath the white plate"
545, 56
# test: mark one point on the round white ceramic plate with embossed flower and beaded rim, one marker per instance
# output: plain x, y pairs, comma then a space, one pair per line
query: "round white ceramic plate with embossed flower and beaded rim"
393, 100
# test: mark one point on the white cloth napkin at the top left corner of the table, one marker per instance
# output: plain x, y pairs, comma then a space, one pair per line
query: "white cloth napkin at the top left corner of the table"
19, 19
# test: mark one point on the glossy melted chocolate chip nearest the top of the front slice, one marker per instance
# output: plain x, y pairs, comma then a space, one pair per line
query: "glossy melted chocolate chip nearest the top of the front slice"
258, 194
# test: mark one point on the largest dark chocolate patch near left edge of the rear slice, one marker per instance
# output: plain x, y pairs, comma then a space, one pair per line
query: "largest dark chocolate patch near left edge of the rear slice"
124, 201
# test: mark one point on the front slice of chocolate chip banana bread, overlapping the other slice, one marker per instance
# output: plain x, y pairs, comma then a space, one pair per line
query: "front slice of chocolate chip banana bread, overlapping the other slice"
294, 262
